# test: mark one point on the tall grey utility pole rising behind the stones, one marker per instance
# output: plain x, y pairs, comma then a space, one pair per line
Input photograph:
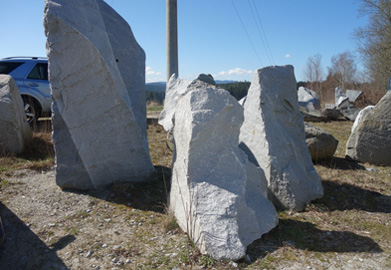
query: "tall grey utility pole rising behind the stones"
172, 38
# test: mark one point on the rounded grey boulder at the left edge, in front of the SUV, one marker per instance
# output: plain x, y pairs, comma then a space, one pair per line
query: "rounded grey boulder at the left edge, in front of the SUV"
15, 132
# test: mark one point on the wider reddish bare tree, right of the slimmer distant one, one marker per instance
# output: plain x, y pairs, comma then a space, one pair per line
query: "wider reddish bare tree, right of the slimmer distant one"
343, 69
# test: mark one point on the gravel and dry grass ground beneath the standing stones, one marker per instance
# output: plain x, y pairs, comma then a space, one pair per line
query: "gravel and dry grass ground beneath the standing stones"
127, 226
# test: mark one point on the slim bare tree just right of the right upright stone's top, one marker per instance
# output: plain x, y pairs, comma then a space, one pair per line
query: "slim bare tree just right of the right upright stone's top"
314, 72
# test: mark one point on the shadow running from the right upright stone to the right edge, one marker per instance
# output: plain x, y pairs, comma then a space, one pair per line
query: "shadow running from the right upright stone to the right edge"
347, 197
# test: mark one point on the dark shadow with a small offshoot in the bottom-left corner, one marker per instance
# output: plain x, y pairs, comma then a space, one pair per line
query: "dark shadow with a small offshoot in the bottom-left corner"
22, 249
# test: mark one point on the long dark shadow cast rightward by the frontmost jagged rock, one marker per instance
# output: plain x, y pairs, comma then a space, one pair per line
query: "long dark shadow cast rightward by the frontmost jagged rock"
305, 236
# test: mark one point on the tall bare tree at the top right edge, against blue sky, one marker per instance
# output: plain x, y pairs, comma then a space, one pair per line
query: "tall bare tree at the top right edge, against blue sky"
375, 40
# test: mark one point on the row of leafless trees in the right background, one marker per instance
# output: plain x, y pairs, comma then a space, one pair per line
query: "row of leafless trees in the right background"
374, 47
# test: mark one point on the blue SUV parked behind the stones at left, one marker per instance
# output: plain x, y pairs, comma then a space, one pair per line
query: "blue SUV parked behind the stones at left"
31, 76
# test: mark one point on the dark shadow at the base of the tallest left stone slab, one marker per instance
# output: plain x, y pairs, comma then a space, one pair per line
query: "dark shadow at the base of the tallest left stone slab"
147, 196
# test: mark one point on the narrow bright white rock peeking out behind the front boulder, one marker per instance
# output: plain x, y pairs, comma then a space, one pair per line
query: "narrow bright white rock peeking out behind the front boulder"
175, 88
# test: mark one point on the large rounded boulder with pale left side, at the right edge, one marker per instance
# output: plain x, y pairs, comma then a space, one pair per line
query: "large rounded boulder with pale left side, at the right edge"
371, 141
